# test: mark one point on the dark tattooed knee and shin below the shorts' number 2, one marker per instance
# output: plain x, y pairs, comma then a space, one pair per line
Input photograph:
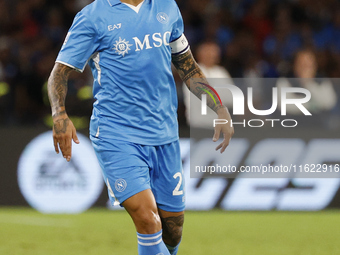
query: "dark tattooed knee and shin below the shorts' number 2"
172, 229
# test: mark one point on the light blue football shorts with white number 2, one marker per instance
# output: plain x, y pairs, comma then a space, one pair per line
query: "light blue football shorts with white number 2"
130, 168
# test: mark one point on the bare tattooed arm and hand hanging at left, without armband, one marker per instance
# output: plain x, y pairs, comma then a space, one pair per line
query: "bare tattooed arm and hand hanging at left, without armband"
63, 128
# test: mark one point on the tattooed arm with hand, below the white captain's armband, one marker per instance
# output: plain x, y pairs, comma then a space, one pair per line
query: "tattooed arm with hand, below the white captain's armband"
195, 80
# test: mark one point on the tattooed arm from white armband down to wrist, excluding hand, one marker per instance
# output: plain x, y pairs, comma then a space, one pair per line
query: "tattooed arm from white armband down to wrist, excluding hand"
193, 77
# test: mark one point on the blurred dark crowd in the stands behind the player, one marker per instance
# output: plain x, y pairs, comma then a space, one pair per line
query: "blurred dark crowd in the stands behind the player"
231, 39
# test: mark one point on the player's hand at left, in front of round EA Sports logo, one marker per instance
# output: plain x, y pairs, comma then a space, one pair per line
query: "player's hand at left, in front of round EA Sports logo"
63, 133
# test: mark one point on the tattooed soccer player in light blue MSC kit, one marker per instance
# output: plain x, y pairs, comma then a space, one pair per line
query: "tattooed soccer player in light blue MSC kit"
129, 45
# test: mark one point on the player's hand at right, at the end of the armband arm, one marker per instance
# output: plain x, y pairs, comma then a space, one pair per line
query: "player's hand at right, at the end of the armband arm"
226, 129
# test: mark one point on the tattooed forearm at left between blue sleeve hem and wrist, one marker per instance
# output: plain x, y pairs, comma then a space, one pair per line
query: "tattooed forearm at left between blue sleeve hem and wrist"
57, 86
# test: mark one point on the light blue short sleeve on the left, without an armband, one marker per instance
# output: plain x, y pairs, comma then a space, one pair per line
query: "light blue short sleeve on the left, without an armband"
80, 43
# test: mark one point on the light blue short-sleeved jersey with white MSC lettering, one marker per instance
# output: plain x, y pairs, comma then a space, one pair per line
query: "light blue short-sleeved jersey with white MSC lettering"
129, 51
